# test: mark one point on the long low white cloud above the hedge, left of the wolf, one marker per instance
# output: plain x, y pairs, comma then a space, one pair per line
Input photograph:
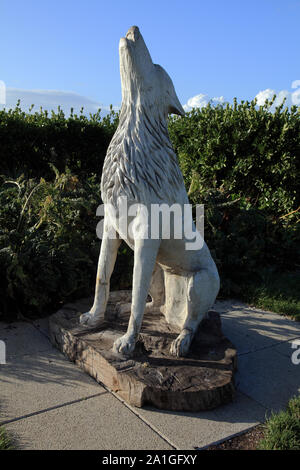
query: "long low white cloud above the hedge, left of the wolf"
51, 99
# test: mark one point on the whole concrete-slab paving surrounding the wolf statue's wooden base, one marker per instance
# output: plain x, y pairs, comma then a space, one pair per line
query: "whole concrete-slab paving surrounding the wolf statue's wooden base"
47, 402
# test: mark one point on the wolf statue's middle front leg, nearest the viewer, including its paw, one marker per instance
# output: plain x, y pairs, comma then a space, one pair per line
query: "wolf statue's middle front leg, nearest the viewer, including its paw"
145, 253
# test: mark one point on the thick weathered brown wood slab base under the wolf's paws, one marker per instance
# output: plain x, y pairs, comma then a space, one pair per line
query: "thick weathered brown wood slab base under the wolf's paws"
202, 380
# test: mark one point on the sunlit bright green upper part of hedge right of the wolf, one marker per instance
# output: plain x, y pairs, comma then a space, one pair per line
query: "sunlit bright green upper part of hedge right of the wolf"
245, 150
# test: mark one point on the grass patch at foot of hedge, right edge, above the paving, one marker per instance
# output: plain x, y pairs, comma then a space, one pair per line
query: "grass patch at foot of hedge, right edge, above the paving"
279, 293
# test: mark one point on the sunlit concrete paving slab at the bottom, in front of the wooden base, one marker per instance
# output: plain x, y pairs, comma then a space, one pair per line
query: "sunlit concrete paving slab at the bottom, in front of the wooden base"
100, 423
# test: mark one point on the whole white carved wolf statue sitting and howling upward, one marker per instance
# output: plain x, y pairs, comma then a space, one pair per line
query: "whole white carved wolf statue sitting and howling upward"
141, 165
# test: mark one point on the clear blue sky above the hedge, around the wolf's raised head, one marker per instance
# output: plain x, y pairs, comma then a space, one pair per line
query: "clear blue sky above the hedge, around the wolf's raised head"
66, 52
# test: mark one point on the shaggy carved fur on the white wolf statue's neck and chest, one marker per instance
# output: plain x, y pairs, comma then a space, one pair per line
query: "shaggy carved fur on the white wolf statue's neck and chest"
140, 162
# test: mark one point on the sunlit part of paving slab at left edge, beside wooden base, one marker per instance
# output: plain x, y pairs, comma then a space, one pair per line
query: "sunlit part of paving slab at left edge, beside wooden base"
32, 383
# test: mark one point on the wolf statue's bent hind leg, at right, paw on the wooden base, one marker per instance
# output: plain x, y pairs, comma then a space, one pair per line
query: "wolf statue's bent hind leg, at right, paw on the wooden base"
203, 287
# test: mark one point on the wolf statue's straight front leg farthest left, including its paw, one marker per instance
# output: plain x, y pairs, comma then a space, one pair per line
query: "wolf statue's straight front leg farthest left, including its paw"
107, 258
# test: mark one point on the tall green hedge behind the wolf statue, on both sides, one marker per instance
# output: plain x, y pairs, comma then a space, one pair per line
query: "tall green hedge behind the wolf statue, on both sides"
241, 161
